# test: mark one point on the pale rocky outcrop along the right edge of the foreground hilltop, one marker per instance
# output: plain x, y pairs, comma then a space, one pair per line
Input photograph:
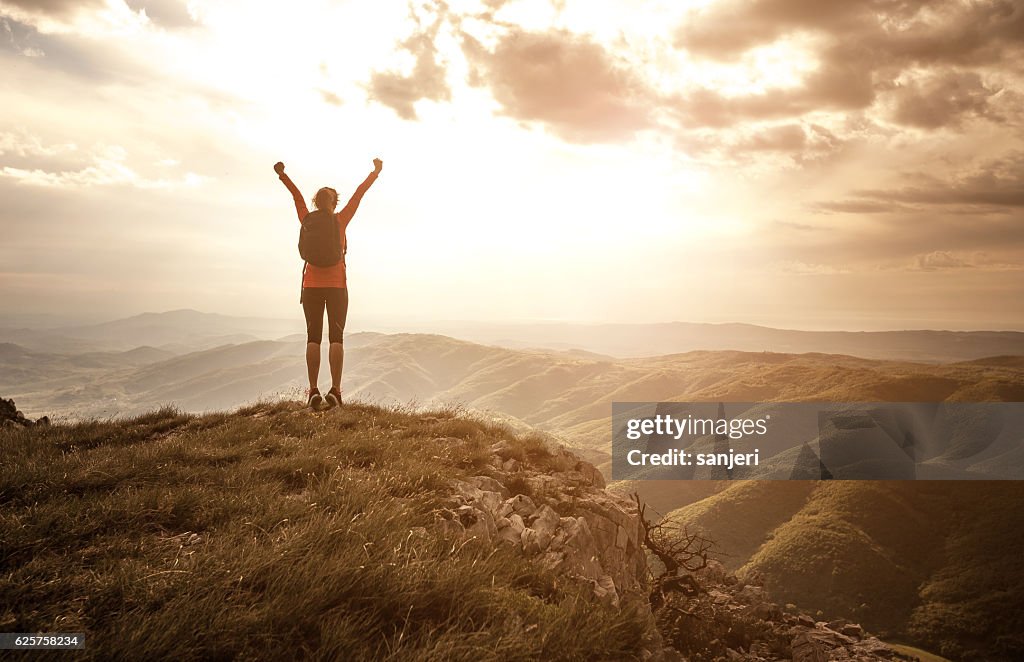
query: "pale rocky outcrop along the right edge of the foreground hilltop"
559, 513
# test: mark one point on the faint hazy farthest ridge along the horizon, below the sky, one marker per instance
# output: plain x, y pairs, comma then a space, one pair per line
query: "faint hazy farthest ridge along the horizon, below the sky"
189, 330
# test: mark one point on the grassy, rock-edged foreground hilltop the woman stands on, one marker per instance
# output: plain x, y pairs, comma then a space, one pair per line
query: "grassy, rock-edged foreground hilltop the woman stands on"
363, 533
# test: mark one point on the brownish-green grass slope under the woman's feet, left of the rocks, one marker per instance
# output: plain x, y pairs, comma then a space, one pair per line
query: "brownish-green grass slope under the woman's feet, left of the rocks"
276, 534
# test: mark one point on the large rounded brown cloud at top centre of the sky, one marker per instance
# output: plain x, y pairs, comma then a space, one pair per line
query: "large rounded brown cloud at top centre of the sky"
566, 81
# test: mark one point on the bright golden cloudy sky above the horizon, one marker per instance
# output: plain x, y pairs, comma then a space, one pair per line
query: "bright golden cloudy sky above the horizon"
795, 163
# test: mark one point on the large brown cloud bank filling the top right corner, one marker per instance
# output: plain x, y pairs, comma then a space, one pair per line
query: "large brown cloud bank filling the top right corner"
864, 49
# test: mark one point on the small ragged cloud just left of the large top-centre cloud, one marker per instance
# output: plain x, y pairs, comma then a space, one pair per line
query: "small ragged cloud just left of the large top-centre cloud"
429, 79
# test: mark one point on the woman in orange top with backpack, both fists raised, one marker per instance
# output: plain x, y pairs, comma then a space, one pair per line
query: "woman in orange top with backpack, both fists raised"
326, 288
